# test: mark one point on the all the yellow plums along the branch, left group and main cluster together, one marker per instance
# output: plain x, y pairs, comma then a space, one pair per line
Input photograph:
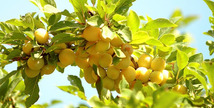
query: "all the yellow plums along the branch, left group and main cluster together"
99, 51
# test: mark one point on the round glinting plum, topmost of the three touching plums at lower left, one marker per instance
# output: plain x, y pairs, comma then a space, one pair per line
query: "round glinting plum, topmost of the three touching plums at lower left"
35, 63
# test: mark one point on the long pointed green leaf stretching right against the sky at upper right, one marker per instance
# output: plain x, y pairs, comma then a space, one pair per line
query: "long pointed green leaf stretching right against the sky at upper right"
159, 23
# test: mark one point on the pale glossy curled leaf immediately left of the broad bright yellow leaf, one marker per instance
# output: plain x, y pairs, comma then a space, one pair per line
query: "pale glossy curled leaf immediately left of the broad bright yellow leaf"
126, 34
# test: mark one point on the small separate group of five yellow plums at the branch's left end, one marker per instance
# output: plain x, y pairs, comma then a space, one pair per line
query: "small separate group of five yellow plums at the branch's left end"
37, 65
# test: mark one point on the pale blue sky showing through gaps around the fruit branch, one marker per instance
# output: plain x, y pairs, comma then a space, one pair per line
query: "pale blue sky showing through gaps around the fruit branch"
154, 8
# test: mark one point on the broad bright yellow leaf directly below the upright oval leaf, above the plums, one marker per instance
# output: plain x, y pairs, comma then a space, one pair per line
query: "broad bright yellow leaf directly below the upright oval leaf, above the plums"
140, 37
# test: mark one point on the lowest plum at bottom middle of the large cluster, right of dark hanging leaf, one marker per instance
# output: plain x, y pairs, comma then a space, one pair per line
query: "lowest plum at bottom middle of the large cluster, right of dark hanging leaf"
108, 83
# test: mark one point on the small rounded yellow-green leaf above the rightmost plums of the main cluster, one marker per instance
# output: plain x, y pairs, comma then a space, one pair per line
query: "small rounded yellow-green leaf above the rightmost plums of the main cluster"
168, 39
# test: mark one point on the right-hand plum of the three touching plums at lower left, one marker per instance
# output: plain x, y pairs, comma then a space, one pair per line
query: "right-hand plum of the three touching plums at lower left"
47, 69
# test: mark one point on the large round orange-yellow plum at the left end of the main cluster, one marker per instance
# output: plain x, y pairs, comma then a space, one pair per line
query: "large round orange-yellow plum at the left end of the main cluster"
66, 57
